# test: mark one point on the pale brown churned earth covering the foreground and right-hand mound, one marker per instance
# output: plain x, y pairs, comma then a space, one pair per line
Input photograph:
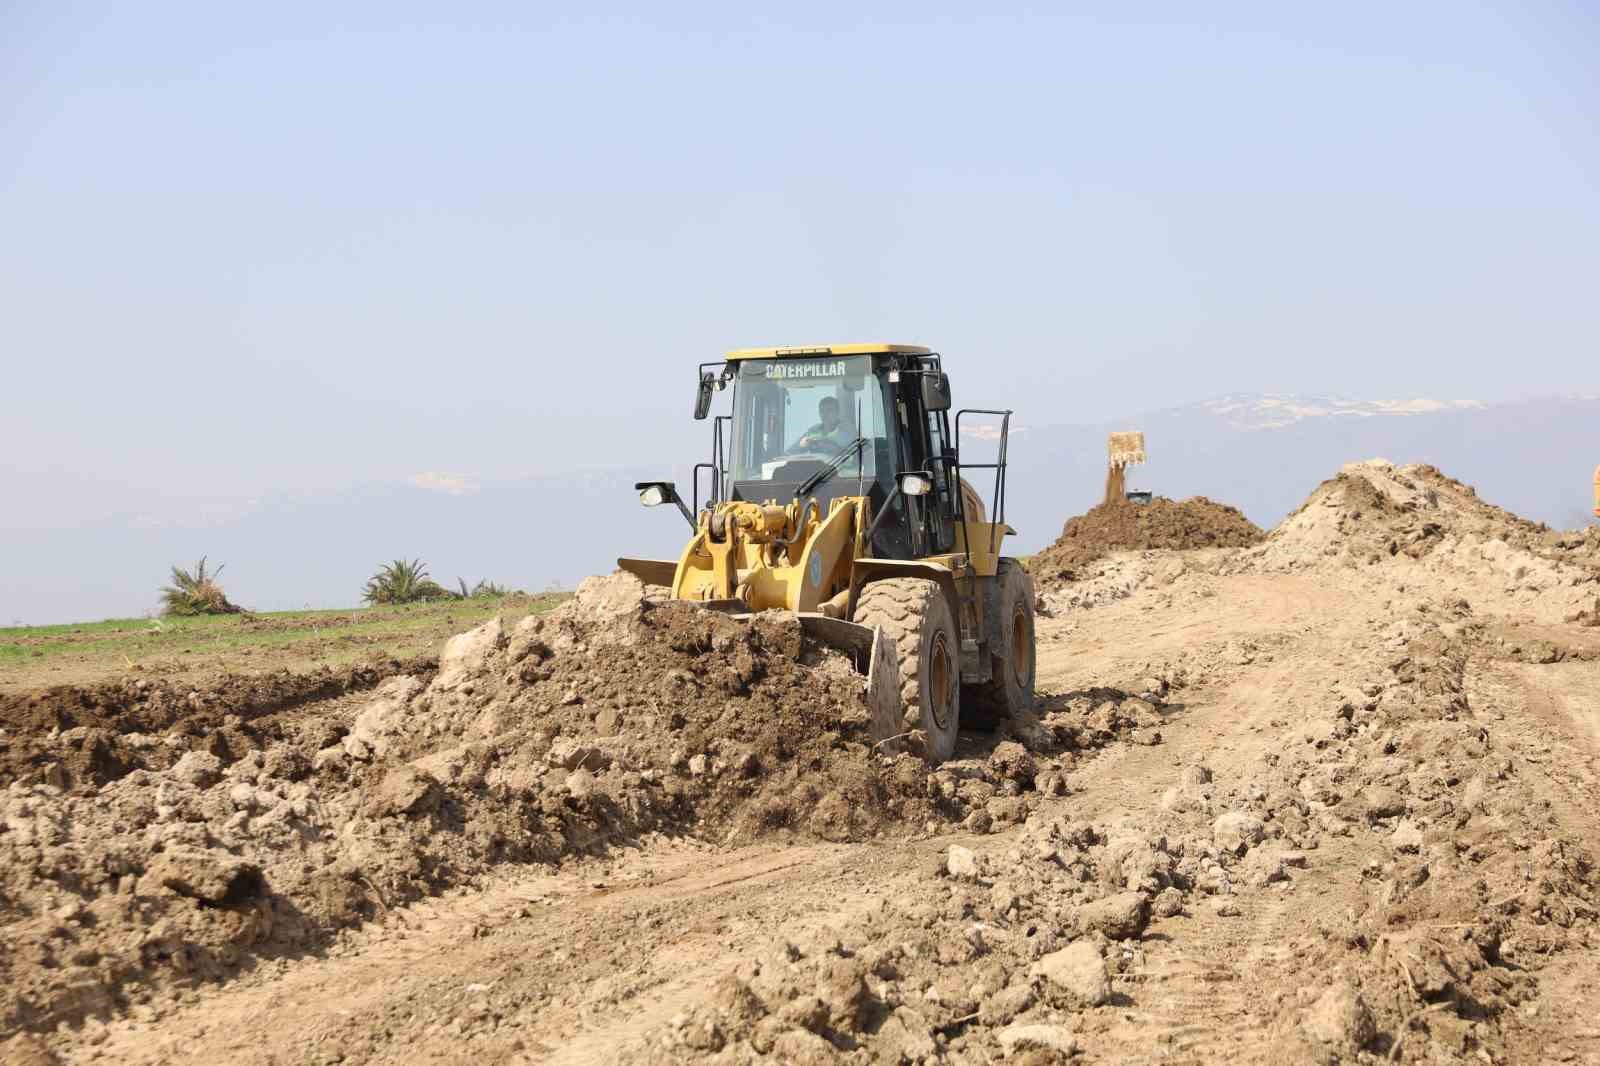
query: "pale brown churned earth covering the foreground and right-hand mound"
1313, 801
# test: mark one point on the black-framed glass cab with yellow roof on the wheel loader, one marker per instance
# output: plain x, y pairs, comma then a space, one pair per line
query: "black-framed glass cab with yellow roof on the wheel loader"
868, 412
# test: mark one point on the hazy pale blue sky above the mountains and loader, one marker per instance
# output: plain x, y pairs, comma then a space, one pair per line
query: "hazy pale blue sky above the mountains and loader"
302, 247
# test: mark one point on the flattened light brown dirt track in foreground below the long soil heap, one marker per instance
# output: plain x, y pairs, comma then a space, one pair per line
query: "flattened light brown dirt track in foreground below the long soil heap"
548, 934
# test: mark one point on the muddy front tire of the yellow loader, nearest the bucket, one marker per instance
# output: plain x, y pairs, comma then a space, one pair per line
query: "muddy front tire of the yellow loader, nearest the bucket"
918, 619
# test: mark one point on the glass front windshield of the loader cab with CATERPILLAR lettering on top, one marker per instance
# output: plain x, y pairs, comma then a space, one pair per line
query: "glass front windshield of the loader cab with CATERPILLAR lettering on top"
793, 415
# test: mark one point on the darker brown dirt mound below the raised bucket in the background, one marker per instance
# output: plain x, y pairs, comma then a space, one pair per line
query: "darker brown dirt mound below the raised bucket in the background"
1161, 524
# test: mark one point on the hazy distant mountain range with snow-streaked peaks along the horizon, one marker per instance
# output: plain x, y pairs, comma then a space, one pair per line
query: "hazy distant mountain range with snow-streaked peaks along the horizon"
1262, 454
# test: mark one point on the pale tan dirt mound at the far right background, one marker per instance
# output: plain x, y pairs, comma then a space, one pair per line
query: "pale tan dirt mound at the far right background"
1380, 515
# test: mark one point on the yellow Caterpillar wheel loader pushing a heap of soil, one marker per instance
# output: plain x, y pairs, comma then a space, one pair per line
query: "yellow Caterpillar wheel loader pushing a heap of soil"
836, 492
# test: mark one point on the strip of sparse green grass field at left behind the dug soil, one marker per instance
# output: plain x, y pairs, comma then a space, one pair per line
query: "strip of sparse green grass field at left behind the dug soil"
41, 655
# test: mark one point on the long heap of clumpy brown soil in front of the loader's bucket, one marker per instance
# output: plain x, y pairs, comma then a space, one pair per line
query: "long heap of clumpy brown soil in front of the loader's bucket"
214, 841
